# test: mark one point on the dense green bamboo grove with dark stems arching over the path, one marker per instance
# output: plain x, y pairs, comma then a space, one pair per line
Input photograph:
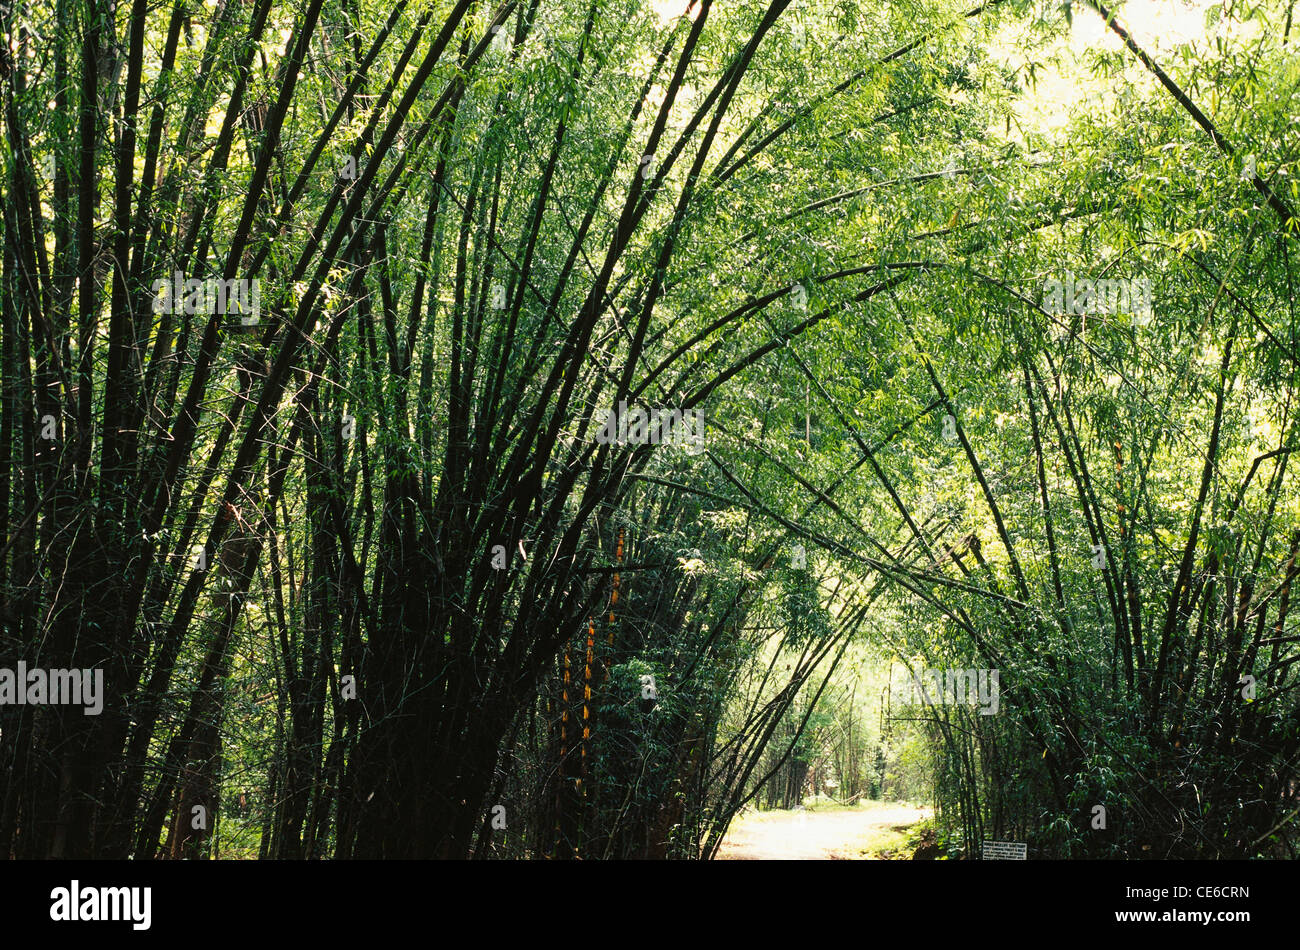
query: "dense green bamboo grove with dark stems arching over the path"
366, 580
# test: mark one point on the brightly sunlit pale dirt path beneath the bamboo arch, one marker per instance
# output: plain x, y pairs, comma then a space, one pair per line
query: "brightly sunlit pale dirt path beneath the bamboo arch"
877, 830
